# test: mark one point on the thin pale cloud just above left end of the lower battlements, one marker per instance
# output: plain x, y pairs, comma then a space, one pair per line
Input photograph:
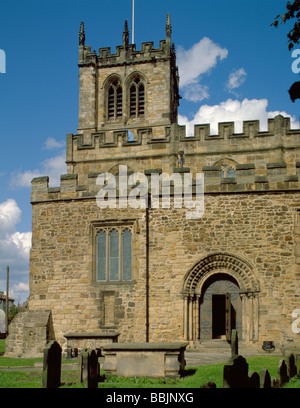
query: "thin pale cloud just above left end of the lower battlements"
53, 167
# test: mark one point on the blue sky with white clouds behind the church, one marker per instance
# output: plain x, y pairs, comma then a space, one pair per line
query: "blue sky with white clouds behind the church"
233, 66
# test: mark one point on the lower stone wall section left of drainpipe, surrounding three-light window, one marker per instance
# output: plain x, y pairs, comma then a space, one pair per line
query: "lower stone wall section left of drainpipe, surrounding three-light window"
62, 274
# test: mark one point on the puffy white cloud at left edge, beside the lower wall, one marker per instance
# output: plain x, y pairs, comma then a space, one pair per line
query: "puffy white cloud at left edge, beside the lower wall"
14, 251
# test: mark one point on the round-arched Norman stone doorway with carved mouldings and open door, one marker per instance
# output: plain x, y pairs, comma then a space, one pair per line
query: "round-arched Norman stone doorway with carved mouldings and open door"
220, 294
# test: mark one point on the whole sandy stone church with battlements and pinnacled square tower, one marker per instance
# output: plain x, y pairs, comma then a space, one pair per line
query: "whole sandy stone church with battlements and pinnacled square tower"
150, 273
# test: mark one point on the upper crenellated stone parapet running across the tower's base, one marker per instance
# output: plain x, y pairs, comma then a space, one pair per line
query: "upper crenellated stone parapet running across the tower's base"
147, 141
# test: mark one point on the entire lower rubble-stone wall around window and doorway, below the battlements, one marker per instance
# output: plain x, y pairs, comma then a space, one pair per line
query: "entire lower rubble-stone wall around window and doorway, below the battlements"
258, 227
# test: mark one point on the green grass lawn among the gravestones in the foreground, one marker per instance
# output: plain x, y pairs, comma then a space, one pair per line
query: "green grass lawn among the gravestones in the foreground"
194, 376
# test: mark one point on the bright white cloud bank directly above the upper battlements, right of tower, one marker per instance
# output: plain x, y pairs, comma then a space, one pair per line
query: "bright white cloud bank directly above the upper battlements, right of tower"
233, 111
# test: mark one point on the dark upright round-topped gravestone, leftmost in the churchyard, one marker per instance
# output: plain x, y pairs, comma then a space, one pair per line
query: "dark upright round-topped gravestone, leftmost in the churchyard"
52, 365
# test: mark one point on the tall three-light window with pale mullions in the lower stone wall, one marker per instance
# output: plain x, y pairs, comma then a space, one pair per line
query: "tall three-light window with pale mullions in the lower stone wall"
114, 255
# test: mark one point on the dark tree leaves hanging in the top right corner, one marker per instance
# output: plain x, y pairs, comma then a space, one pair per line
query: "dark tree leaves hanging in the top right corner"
293, 12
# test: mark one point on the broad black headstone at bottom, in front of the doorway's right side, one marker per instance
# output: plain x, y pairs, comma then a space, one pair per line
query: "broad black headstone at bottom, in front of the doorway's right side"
235, 373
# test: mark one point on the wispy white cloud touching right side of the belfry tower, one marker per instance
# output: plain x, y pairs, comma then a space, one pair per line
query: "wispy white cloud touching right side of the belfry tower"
193, 63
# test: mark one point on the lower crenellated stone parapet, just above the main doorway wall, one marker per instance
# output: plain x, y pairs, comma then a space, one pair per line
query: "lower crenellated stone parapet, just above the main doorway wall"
247, 178
